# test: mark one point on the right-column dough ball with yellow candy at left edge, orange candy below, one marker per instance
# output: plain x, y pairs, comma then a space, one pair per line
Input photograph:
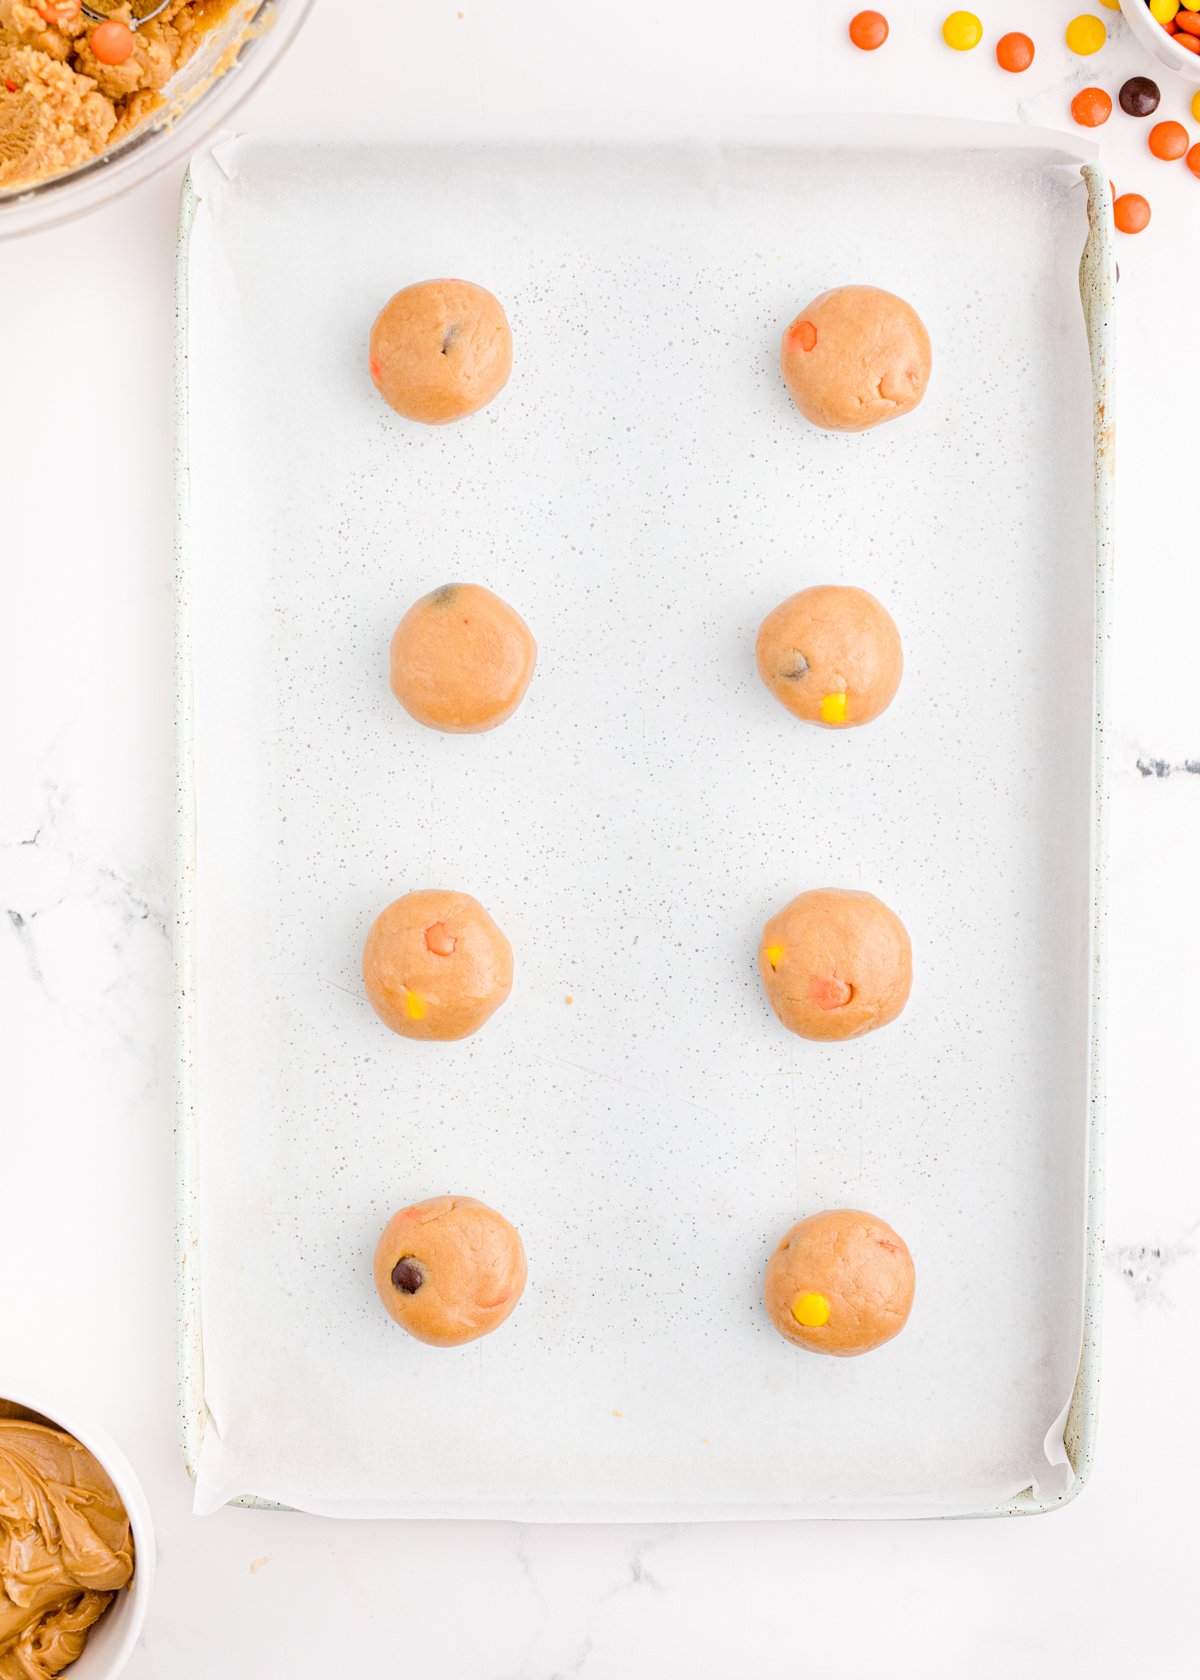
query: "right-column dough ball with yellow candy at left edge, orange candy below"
836, 963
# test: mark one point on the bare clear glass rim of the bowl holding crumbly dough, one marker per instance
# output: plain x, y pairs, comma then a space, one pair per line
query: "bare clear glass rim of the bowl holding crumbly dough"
199, 100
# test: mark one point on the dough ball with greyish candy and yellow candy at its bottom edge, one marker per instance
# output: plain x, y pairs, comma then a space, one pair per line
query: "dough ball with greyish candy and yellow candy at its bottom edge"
833, 656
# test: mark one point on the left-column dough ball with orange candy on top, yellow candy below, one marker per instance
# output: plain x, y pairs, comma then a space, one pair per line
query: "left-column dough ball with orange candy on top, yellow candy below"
436, 965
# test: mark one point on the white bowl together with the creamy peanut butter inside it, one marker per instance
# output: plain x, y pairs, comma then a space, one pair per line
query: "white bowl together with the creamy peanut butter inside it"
76, 1543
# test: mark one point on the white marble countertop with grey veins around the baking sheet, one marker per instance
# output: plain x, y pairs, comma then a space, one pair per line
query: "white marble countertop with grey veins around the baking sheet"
1103, 1588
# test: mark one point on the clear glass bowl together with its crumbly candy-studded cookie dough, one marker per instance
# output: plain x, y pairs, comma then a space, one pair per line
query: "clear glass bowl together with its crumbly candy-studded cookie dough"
97, 97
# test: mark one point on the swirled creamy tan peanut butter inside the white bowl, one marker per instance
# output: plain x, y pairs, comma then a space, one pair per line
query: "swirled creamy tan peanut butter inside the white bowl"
66, 1548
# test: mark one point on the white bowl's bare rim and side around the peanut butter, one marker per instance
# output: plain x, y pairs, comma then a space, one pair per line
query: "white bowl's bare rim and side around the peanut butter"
115, 1635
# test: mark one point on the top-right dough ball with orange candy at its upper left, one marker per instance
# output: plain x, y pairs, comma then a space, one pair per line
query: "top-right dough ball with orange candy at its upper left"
856, 357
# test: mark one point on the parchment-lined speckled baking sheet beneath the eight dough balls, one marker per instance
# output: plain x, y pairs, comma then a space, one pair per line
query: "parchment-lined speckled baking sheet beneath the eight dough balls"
643, 493
